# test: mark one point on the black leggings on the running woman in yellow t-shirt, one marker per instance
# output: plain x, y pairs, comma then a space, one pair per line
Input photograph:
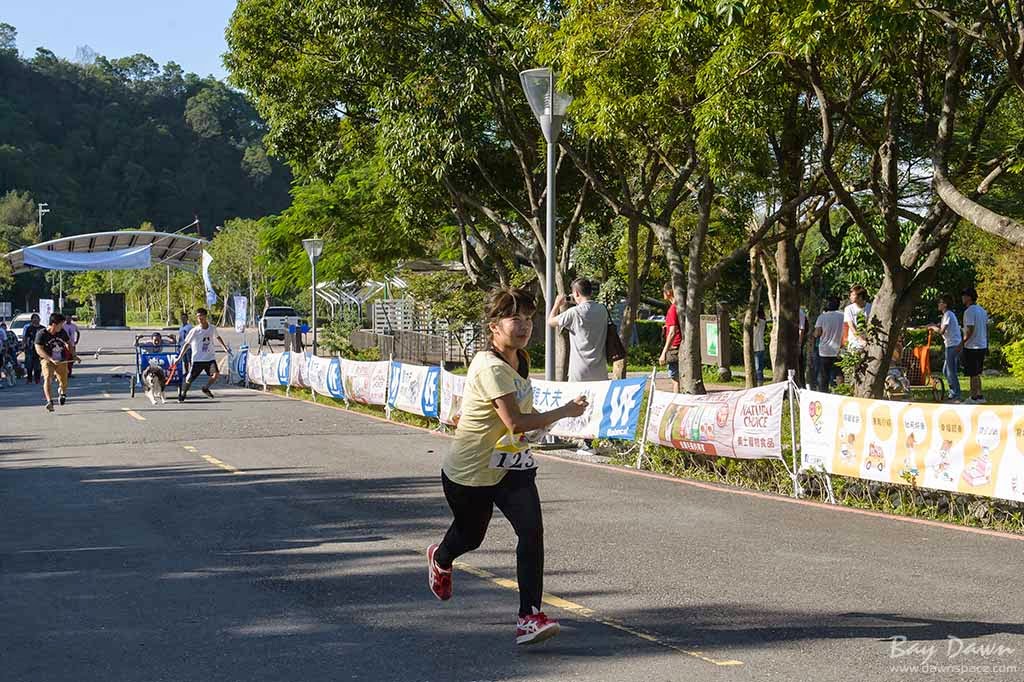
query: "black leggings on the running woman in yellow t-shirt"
518, 498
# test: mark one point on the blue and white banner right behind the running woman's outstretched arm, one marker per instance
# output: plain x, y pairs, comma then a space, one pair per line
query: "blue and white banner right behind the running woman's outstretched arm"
613, 412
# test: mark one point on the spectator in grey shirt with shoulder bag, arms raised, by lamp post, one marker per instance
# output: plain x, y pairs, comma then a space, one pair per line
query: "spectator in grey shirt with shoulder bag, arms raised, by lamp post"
587, 323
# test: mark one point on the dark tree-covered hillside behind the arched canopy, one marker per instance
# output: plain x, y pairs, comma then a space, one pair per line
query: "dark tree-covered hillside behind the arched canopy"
114, 143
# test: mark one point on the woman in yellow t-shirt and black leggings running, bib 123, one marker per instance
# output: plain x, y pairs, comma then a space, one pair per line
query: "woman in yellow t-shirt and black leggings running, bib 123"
490, 462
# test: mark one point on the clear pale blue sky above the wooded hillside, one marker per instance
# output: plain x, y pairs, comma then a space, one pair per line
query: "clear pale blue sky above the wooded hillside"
189, 32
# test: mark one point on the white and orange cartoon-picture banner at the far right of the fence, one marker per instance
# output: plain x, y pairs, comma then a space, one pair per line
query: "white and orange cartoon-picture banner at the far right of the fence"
962, 449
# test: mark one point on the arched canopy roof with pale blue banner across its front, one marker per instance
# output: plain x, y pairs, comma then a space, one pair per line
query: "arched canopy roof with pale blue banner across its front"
126, 250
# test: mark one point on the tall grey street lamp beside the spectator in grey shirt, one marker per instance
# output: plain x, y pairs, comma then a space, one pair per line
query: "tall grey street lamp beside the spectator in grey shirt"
549, 108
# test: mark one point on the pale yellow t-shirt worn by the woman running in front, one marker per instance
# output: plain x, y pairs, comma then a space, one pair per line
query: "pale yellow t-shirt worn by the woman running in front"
481, 429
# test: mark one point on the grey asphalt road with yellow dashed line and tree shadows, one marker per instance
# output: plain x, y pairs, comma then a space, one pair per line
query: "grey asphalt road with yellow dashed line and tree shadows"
257, 538
